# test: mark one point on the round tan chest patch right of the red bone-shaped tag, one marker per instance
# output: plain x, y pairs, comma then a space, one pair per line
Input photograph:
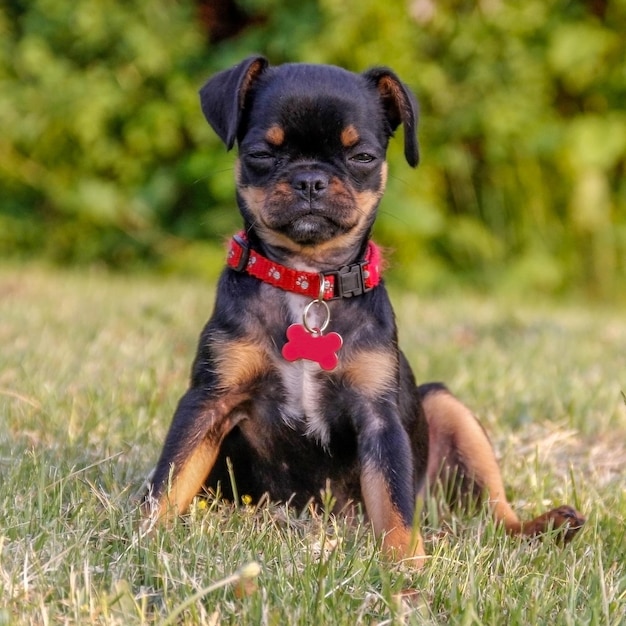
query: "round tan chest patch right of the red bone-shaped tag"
372, 372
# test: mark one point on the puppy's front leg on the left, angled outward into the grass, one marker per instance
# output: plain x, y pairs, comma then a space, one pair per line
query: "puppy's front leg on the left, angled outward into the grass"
198, 428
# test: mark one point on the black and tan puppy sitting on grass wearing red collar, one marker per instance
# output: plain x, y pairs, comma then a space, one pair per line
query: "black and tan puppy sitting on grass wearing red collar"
298, 379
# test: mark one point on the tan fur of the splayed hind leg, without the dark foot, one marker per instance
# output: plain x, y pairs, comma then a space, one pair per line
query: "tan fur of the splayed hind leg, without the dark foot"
451, 423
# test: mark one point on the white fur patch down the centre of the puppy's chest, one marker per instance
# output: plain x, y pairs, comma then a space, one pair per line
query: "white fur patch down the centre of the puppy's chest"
303, 387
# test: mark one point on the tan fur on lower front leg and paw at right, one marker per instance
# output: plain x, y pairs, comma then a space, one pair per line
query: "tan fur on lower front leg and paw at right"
399, 541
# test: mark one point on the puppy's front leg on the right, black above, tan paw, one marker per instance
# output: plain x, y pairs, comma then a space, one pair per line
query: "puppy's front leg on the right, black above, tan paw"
387, 485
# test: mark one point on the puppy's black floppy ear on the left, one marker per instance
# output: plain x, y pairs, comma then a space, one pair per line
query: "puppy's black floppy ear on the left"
223, 97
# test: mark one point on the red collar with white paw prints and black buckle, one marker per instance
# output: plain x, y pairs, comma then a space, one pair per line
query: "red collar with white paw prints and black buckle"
347, 281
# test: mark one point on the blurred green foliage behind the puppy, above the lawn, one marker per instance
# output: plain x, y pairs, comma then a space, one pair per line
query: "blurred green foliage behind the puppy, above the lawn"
105, 156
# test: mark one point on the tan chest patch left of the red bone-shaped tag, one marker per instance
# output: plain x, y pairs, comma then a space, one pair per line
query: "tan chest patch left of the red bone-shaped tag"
239, 362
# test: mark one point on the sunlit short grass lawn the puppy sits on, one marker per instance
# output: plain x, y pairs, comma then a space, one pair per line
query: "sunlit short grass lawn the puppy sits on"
91, 367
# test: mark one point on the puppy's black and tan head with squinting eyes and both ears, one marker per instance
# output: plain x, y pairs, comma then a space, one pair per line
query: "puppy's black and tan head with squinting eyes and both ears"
312, 142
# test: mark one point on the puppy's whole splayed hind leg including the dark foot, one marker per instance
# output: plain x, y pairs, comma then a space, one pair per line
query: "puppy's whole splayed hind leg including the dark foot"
462, 464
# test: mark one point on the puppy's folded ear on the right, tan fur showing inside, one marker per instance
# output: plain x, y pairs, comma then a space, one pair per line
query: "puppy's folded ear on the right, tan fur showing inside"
400, 107
